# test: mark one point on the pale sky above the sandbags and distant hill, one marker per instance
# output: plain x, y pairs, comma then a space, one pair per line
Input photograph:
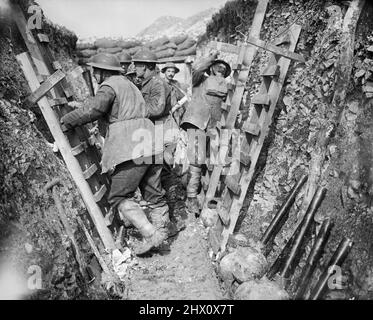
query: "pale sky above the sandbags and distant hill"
118, 18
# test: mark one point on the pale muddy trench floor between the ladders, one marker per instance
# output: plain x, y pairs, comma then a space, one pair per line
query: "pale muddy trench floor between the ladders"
182, 268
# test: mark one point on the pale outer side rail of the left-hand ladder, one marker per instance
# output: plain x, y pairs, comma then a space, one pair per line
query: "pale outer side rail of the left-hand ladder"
65, 150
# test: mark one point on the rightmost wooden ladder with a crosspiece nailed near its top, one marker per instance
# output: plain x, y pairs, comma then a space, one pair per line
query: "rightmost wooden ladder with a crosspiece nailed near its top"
253, 134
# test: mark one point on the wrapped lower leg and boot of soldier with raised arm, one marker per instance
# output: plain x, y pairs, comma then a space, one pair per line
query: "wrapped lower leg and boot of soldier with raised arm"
192, 204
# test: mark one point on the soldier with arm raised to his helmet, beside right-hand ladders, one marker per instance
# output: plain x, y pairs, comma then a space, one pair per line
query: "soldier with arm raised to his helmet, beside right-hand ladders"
204, 111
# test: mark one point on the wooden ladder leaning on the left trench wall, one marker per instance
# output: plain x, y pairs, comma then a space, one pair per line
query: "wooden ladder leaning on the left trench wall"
52, 91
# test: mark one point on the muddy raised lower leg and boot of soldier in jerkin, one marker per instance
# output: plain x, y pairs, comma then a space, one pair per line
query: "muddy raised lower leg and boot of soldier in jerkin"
153, 238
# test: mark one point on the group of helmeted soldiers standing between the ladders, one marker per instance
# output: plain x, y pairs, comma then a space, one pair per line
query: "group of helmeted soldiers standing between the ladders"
132, 96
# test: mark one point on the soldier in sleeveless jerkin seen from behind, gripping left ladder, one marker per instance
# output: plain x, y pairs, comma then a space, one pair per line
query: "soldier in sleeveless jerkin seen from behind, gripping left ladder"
122, 105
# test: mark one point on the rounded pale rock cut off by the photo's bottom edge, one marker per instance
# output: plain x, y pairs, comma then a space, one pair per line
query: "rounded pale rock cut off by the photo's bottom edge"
262, 289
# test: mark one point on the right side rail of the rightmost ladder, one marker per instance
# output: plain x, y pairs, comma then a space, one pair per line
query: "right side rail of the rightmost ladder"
264, 121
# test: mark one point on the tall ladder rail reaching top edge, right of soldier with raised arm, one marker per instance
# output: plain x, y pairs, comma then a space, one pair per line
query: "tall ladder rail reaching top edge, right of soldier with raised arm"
246, 56
